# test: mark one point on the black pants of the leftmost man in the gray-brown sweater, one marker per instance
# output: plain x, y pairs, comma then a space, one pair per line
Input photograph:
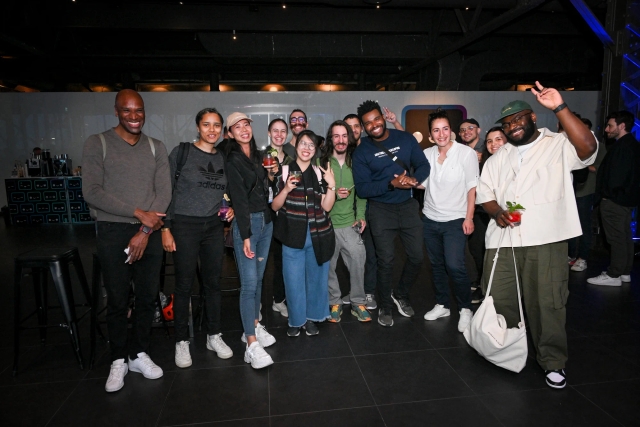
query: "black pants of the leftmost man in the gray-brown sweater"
112, 239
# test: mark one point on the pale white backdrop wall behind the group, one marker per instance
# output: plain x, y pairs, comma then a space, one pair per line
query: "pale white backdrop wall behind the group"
63, 121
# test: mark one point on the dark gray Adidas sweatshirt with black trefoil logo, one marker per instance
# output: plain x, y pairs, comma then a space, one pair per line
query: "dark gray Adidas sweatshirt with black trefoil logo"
202, 183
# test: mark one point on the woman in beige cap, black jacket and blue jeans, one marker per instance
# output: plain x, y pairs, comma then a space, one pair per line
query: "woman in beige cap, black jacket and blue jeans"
251, 229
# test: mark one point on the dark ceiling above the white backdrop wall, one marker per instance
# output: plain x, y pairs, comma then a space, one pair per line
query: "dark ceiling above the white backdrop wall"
71, 45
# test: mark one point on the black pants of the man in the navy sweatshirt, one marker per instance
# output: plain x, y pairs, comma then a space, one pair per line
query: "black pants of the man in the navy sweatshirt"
388, 221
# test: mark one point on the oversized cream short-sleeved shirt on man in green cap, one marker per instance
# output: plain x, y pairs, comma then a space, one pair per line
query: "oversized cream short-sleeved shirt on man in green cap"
541, 183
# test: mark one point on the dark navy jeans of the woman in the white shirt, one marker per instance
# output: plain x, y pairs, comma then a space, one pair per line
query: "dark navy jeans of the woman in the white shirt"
445, 243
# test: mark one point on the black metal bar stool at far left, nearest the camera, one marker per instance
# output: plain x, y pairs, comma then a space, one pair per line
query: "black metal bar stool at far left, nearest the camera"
55, 260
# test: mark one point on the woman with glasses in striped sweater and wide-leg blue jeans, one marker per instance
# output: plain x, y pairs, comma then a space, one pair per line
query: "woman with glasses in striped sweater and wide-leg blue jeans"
308, 241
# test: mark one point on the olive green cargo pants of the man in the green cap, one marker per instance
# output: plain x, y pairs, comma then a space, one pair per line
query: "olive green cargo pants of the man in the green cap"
544, 280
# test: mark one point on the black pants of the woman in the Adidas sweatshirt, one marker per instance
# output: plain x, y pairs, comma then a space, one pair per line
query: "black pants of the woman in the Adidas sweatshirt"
204, 238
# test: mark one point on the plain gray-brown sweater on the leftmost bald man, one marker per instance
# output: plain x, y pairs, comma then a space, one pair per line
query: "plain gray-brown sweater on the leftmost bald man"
129, 177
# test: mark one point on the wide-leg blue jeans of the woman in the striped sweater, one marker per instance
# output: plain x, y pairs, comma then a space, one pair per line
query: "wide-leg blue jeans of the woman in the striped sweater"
306, 284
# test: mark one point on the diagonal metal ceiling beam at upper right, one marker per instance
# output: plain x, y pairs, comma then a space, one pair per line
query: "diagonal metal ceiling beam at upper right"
523, 7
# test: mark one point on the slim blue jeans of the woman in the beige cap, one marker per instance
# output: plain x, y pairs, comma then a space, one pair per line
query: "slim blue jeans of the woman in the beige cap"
252, 270
